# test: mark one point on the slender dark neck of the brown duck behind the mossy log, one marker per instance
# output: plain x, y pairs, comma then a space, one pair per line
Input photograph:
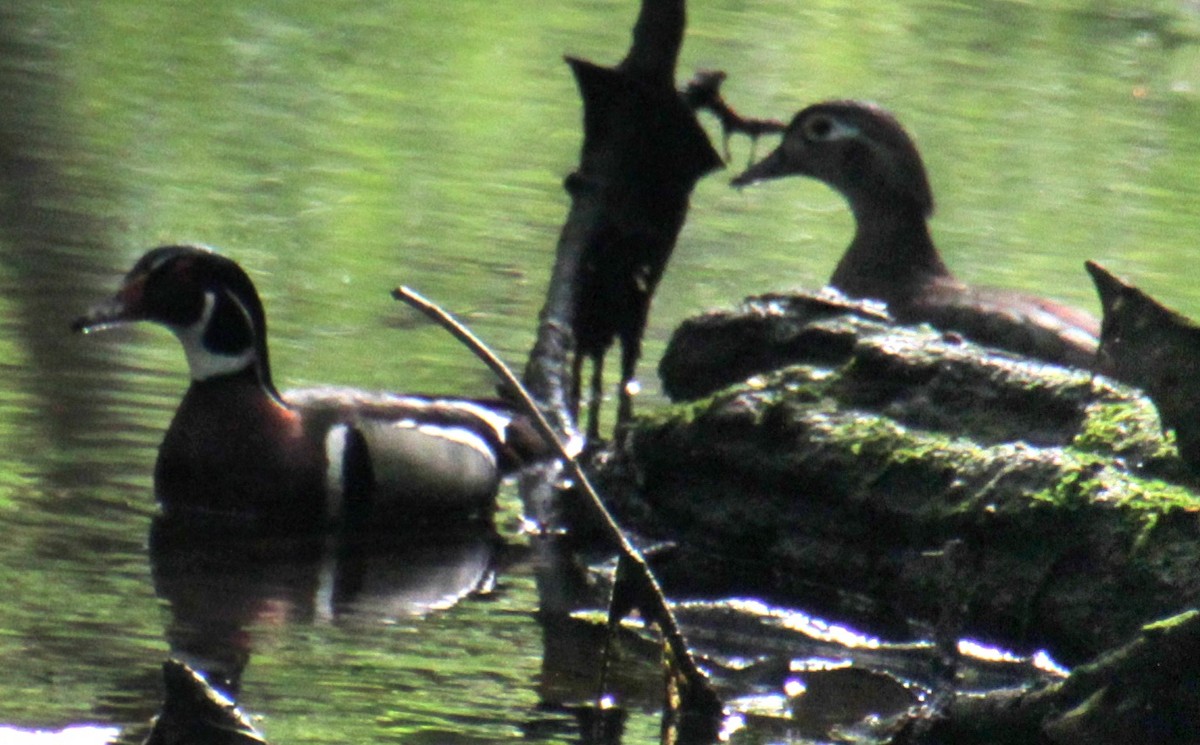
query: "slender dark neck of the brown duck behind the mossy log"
892, 253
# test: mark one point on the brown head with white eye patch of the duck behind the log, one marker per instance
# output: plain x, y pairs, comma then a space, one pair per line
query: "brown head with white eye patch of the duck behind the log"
856, 148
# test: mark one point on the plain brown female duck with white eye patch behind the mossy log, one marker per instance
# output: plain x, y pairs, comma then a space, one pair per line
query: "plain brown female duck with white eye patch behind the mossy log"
863, 153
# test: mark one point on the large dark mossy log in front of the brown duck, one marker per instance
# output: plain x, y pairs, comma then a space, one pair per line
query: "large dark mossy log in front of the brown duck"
841, 455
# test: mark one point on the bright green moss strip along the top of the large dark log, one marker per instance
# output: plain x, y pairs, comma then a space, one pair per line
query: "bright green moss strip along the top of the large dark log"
1088, 473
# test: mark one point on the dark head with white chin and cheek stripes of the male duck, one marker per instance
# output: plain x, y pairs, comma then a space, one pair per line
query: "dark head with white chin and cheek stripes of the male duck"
205, 298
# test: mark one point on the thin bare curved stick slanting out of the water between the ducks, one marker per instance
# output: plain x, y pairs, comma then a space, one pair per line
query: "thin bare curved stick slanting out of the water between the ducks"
647, 594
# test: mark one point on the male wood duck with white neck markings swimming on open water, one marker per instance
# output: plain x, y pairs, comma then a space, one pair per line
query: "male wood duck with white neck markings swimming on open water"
239, 452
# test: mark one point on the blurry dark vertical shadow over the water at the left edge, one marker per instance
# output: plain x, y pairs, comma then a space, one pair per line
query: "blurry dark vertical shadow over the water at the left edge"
52, 242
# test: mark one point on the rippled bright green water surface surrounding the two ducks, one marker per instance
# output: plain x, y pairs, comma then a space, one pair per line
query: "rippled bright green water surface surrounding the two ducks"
338, 149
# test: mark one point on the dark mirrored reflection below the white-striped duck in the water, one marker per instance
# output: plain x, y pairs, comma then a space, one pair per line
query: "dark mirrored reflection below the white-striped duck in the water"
223, 586
